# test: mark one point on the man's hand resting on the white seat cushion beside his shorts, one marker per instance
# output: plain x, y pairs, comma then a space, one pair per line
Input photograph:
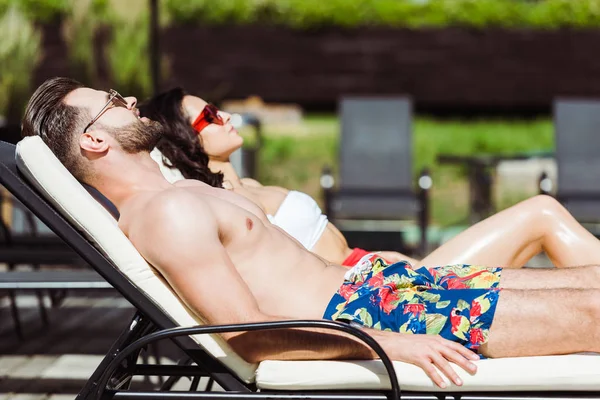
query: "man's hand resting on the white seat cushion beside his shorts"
428, 352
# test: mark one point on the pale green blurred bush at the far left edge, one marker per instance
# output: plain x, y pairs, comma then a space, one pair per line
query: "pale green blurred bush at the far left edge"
19, 55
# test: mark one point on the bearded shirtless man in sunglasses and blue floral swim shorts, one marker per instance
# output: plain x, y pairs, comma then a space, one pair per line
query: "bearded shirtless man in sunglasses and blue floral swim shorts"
230, 265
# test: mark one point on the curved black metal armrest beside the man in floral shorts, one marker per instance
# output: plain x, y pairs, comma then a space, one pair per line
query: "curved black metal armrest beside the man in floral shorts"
209, 329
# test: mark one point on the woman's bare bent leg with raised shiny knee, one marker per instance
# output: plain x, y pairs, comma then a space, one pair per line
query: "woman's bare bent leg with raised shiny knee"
511, 237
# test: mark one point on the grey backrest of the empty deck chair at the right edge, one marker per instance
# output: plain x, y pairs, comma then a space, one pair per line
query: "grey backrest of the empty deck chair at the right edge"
576, 126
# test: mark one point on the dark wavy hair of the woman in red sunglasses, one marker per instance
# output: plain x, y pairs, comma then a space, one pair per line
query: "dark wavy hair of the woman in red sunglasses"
180, 144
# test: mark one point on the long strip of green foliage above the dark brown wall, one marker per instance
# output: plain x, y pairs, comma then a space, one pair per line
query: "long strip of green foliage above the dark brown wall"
396, 13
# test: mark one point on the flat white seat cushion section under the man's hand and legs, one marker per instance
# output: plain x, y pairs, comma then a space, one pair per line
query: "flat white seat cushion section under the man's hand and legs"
570, 372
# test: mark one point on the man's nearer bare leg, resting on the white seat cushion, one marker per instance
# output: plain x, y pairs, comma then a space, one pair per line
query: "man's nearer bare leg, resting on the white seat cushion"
544, 322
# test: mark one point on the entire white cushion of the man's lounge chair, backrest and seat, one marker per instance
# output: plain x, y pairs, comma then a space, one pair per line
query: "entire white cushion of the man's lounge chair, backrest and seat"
42, 168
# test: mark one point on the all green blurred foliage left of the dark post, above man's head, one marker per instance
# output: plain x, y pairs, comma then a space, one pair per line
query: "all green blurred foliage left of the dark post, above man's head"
107, 43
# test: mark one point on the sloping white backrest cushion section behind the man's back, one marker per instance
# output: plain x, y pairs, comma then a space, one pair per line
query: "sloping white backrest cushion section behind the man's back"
37, 162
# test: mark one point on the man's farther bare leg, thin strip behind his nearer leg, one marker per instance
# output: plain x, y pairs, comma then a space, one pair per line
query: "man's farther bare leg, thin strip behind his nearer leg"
587, 277
